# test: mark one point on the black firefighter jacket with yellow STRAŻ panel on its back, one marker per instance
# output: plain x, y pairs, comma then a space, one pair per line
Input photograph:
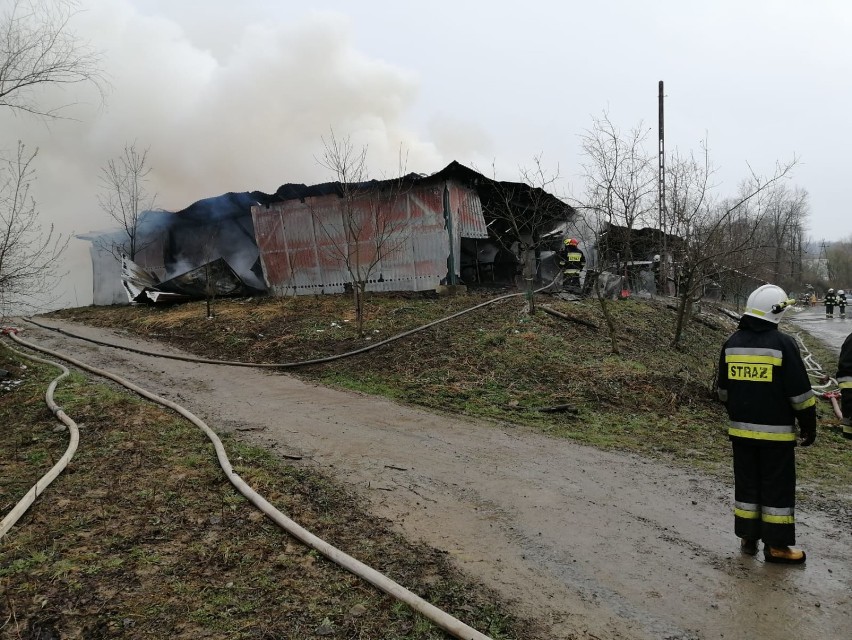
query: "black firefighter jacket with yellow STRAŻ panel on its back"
764, 384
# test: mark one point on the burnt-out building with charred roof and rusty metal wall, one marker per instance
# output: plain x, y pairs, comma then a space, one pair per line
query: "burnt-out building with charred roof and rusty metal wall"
409, 234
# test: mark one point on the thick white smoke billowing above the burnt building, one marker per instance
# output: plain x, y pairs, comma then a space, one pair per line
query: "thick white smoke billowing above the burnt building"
248, 116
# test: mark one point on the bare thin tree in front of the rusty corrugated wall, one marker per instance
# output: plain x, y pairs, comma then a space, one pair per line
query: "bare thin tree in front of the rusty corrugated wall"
367, 231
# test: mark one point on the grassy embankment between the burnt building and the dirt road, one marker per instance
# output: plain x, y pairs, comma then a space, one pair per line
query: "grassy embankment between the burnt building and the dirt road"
499, 363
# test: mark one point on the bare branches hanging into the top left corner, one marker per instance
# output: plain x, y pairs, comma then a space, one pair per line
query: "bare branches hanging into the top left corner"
38, 50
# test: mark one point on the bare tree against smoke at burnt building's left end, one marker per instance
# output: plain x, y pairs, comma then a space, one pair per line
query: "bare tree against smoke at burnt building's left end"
125, 197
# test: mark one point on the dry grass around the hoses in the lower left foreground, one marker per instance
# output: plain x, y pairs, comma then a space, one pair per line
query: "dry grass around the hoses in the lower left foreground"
143, 537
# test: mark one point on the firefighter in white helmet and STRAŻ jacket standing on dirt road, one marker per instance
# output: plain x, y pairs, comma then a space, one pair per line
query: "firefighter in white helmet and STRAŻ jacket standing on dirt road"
766, 390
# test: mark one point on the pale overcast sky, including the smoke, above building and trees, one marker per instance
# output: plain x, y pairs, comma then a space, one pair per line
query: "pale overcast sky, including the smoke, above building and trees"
236, 96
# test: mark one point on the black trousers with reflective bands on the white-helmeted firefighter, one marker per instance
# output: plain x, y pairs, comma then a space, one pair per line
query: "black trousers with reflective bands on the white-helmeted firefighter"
765, 491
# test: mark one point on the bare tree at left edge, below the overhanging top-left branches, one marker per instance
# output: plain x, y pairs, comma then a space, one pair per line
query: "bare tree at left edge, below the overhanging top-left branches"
28, 253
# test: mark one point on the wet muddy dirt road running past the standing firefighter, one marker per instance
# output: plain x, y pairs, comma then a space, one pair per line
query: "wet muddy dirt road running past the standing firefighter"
596, 545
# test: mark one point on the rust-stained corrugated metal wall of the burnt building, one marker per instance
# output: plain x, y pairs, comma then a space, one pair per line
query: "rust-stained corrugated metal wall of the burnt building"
303, 244
